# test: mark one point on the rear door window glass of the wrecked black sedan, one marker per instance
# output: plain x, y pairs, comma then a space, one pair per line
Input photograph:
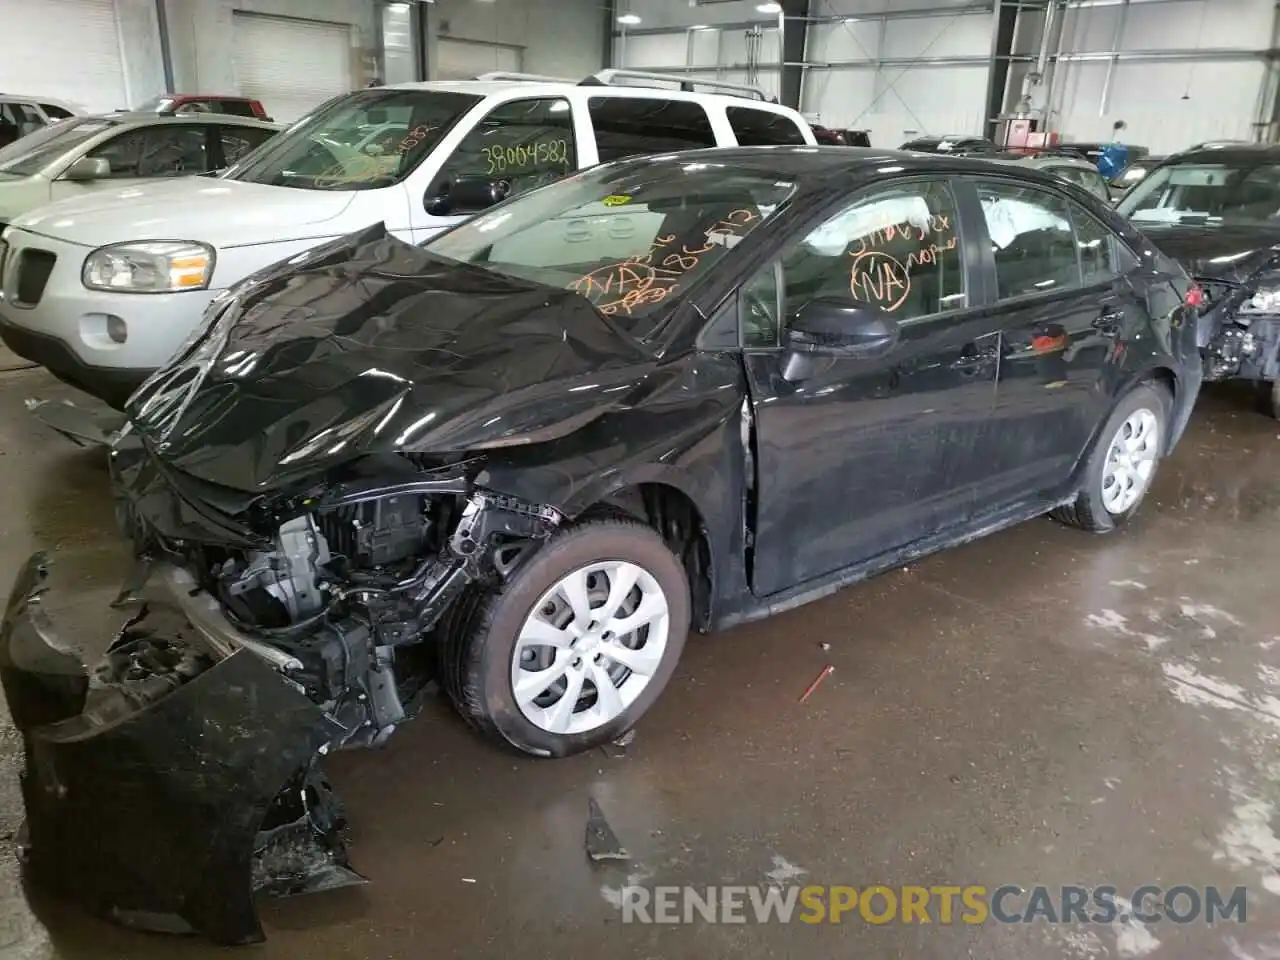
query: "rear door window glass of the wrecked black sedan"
1031, 239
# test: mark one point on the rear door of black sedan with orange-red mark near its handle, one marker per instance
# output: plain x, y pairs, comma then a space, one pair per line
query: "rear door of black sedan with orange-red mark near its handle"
1064, 307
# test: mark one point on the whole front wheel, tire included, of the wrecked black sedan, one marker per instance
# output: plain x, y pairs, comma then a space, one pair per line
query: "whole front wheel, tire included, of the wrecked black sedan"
478, 650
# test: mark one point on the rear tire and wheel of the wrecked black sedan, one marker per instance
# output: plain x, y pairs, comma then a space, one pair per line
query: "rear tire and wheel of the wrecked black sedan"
1094, 509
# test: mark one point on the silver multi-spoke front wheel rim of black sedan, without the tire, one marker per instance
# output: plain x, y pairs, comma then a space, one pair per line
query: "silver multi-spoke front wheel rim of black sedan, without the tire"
589, 647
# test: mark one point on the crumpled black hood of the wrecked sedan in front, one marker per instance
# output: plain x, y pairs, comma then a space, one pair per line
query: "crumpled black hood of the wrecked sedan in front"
369, 345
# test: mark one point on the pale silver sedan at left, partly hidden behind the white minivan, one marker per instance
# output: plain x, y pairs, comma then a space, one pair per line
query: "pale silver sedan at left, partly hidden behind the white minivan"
84, 154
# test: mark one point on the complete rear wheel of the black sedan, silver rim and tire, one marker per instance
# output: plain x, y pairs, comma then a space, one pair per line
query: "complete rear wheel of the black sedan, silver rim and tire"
1123, 463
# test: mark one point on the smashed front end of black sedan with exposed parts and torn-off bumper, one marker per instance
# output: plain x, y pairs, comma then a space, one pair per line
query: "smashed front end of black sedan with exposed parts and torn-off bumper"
257, 661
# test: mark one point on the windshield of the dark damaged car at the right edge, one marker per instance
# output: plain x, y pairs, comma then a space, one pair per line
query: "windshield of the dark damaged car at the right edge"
1235, 194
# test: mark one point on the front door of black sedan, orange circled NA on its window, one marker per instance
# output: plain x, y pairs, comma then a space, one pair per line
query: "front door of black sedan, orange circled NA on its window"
857, 458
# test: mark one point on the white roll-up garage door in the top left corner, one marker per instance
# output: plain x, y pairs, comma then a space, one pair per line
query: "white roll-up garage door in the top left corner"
66, 49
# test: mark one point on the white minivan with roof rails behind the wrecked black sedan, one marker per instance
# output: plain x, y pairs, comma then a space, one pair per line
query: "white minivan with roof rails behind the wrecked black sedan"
103, 290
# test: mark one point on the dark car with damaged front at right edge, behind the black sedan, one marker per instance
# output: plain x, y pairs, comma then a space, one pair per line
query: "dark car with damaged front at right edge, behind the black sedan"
1218, 212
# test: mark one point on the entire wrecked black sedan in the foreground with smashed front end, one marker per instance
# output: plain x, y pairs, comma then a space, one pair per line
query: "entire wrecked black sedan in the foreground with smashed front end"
525, 460
